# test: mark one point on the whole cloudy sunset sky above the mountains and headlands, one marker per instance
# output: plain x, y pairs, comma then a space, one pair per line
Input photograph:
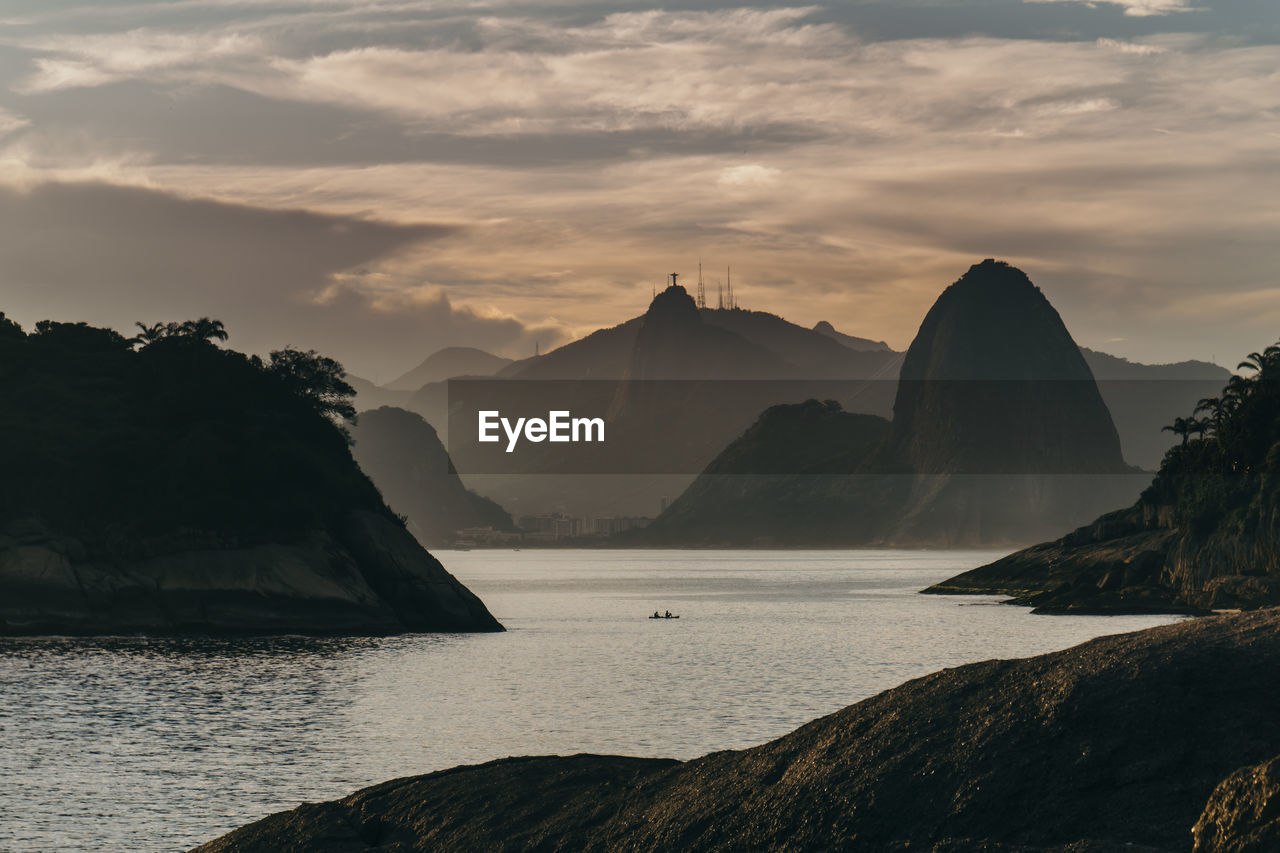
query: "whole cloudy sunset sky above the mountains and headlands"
381, 179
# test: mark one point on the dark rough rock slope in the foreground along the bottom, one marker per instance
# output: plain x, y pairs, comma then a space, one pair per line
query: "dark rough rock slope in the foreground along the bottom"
1116, 745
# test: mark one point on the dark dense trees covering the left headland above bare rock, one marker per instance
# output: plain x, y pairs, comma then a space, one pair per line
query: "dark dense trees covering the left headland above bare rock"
124, 439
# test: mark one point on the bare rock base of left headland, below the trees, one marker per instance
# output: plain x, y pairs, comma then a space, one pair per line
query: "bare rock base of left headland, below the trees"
365, 576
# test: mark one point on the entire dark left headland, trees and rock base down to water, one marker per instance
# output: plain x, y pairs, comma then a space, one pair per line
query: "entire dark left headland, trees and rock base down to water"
184, 489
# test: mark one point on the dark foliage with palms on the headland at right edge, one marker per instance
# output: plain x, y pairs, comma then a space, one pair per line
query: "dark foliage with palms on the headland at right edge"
1224, 473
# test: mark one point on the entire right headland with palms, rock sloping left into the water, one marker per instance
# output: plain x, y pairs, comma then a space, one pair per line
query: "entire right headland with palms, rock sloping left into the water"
1205, 535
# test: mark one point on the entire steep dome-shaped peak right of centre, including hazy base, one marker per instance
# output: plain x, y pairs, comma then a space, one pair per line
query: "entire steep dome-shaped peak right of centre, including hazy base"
1000, 418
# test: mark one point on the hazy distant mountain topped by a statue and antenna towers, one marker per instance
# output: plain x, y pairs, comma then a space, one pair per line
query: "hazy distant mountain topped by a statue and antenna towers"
678, 385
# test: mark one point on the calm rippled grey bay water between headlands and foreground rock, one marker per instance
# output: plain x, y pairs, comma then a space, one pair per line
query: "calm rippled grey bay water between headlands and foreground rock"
162, 745
